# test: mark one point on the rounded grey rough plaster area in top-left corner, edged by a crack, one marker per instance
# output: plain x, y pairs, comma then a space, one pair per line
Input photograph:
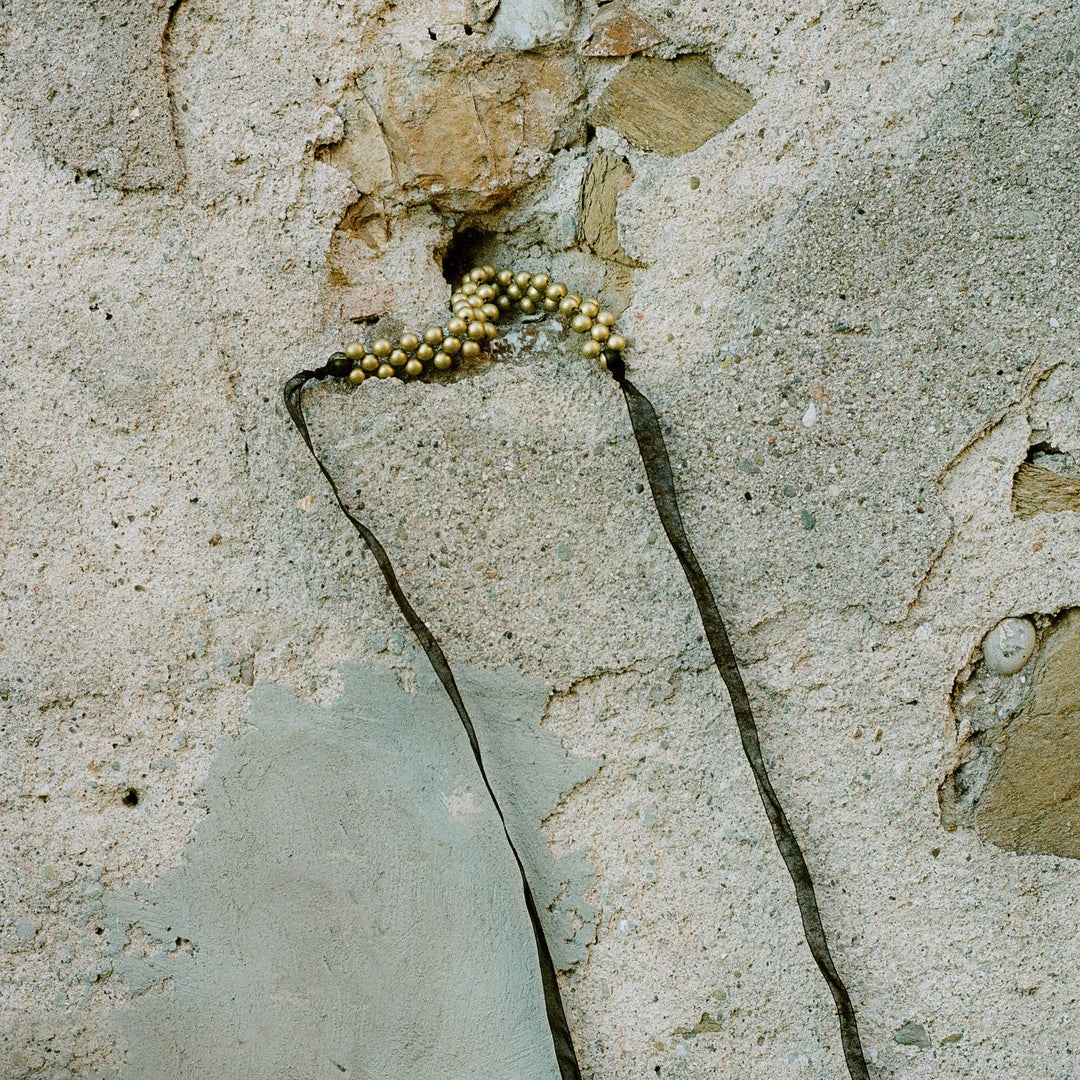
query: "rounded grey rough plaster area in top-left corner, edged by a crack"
90, 79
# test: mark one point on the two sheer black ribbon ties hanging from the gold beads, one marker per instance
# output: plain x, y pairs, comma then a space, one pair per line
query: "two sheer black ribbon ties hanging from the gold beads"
651, 443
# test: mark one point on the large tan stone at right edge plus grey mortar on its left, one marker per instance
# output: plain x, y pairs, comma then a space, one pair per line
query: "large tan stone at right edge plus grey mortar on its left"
1020, 779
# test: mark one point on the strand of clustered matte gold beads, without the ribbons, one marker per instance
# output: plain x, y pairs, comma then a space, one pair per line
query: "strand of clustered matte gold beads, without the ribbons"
487, 295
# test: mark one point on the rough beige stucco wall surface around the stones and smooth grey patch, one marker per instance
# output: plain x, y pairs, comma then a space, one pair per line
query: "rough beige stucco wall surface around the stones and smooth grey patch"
856, 309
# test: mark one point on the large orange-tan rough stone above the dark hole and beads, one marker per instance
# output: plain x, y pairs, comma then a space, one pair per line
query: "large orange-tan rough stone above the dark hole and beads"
471, 129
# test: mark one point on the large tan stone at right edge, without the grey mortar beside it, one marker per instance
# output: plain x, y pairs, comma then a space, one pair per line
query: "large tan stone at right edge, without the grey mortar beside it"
1032, 803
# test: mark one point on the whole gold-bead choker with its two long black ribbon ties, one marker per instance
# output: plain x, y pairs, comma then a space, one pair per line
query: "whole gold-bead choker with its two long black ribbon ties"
487, 296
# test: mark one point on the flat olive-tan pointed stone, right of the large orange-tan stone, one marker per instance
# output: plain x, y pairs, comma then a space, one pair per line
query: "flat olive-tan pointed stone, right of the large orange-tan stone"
670, 106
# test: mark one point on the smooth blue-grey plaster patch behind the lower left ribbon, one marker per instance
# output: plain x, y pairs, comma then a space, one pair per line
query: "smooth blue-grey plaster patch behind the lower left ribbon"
350, 908
